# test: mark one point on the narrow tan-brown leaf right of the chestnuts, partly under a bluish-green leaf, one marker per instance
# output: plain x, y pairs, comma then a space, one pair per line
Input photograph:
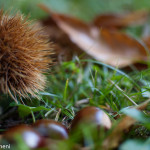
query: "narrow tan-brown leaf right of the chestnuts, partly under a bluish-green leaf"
113, 140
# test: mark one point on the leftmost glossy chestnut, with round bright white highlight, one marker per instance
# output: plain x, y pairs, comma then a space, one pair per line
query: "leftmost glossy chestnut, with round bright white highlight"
29, 136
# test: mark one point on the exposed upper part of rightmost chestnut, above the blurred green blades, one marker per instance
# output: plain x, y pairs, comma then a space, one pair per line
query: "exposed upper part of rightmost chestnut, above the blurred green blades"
91, 116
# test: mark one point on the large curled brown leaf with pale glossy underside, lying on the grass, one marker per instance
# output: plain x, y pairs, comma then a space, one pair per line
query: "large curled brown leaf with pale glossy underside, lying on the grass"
111, 47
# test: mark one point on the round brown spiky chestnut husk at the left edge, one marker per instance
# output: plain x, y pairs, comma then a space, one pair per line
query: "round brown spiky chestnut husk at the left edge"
24, 56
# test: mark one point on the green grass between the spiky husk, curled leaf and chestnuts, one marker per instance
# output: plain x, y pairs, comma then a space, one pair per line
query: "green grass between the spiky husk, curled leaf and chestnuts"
76, 80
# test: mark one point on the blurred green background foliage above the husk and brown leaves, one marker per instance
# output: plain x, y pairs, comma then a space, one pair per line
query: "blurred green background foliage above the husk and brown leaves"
84, 9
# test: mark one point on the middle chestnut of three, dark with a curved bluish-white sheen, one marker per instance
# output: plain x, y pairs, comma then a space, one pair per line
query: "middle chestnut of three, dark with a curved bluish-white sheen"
51, 129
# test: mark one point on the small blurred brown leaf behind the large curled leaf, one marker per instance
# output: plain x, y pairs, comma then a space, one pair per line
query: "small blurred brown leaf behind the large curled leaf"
119, 21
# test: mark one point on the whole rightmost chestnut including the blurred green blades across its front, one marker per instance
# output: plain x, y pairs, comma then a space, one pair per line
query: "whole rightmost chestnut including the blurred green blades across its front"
89, 125
